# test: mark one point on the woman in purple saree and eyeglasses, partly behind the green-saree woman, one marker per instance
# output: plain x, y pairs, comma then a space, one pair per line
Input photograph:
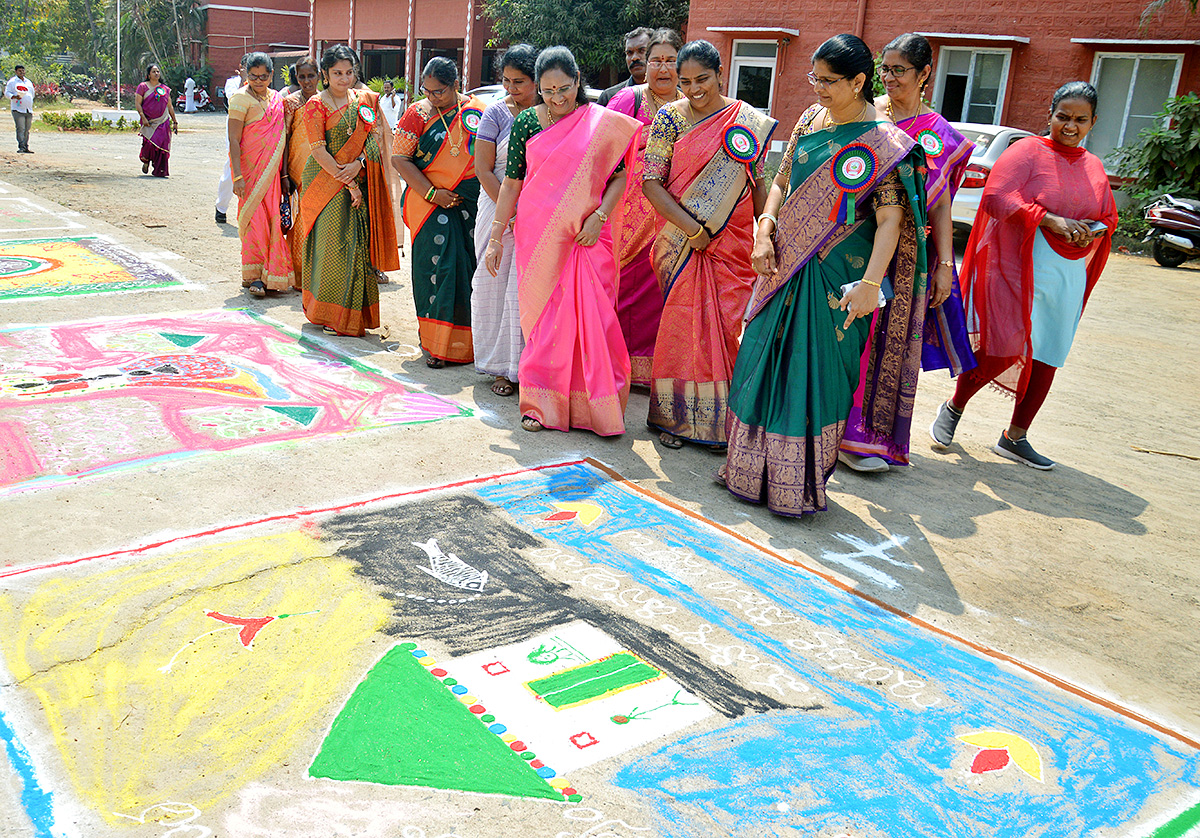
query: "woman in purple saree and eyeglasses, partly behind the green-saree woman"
937, 327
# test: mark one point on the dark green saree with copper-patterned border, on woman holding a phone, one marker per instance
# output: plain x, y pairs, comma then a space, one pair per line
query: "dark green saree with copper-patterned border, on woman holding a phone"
799, 367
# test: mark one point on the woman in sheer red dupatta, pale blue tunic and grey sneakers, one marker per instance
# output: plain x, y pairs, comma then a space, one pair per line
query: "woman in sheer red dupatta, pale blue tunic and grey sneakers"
1041, 240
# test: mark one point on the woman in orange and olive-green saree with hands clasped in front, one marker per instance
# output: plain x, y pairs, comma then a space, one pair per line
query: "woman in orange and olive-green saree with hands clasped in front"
346, 207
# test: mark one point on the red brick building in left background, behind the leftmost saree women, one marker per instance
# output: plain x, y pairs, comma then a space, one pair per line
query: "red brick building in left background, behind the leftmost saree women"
279, 28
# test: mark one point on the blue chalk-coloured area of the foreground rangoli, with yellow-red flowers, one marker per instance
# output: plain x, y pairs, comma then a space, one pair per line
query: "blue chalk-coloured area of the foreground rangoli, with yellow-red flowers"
869, 763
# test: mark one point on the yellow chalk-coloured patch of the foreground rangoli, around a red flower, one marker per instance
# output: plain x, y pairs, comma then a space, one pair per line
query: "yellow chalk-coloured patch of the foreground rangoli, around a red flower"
92, 650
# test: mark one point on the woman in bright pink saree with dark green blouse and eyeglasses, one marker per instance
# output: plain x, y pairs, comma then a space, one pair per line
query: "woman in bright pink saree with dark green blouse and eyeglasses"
566, 165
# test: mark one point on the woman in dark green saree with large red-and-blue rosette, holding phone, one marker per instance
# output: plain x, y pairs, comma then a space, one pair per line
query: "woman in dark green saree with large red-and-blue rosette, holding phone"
843, 225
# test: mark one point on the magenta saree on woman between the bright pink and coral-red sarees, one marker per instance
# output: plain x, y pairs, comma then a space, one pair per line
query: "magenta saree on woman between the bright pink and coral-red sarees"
635, 225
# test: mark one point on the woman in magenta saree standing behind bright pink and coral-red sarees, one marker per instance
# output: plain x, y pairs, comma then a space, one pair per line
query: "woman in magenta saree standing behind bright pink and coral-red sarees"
637, 224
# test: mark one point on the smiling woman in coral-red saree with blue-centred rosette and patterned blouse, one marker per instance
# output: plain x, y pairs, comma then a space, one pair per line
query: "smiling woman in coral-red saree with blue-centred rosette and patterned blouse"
704, 175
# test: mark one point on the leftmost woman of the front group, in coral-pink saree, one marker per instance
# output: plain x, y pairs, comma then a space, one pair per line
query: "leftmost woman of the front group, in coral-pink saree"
257, 142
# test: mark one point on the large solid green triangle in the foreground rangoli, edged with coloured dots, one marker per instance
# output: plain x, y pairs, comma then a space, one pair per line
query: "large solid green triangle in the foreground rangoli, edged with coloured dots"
403, 727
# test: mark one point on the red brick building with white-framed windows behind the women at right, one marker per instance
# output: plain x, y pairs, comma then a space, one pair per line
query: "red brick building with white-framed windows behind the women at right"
993, 62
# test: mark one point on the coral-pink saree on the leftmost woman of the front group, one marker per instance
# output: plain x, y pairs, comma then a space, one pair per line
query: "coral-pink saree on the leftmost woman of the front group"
266, 255
